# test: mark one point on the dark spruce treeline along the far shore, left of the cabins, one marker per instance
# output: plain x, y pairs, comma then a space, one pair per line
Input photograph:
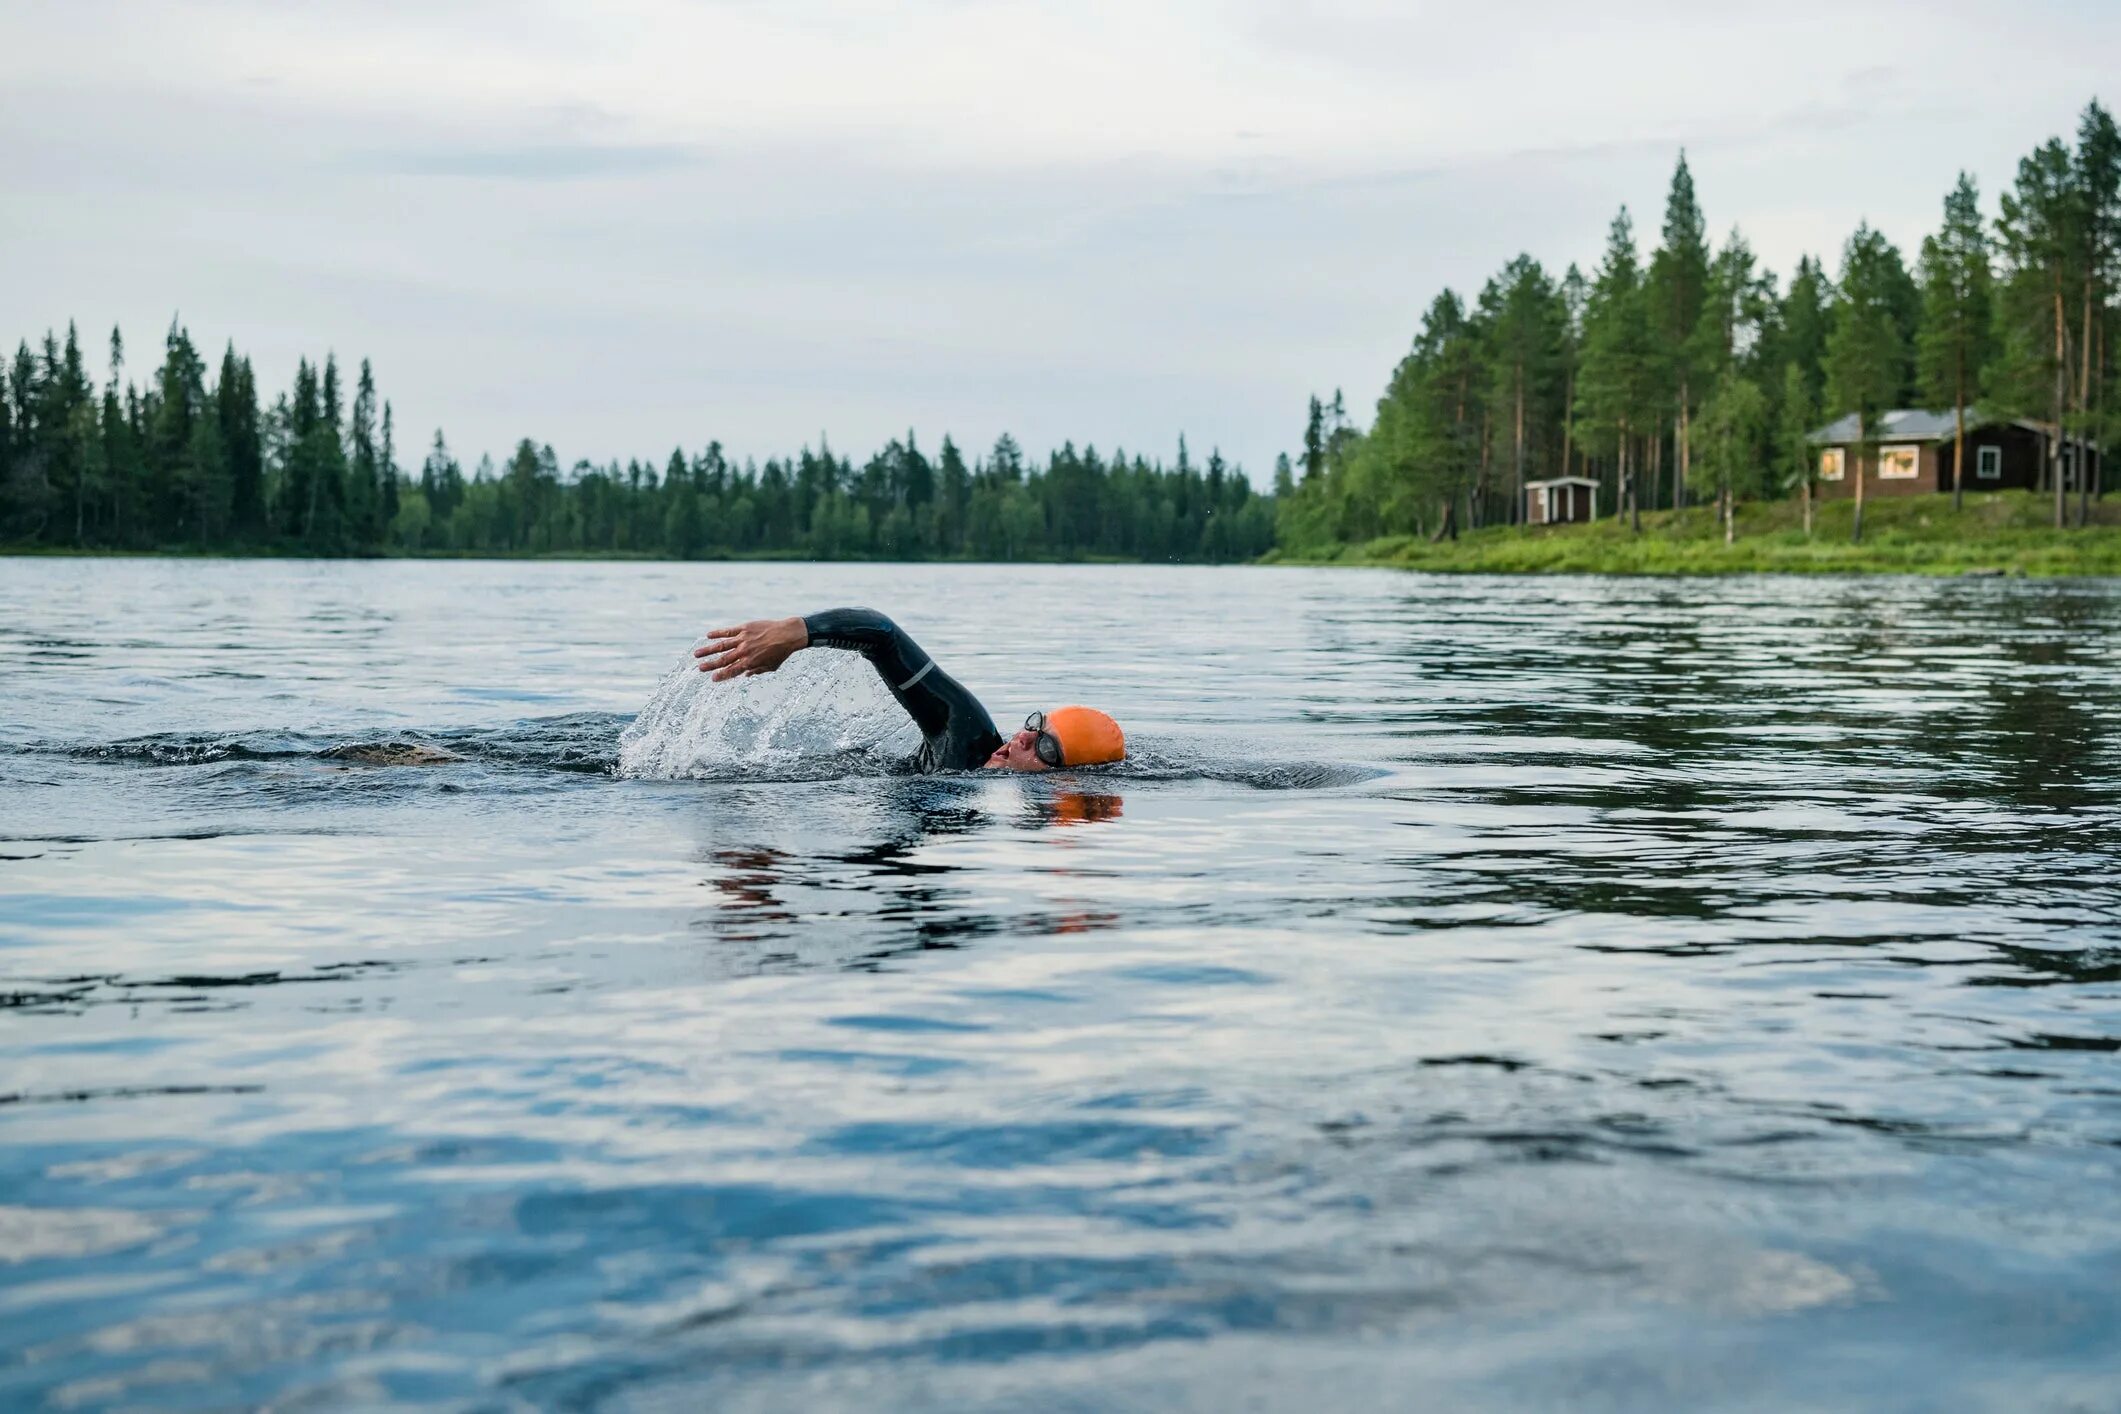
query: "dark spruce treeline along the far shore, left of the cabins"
194, 461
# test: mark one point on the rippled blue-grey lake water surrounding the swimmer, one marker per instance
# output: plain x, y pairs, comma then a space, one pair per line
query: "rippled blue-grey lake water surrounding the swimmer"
1477, 995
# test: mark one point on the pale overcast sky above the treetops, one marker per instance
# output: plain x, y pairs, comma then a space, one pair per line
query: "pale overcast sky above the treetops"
644, 224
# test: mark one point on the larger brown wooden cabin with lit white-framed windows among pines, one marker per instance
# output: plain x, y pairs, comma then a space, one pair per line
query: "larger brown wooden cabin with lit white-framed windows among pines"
1916, 446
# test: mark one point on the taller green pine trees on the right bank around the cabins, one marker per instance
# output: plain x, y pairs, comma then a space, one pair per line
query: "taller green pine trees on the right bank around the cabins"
1696, 376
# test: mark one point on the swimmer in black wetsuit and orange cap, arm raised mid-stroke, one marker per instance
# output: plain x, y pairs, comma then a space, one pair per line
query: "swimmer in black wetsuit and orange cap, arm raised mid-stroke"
956, 730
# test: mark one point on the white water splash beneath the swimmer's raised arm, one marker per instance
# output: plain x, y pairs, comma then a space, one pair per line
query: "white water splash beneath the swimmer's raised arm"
818, 711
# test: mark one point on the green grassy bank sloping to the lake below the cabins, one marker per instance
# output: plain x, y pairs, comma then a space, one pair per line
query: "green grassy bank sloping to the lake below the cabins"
1908, 535
